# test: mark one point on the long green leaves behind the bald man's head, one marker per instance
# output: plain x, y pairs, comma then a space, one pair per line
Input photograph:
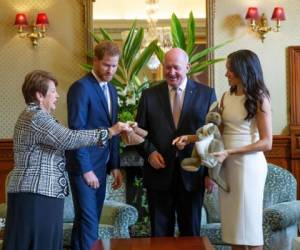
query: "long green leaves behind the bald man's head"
187, 42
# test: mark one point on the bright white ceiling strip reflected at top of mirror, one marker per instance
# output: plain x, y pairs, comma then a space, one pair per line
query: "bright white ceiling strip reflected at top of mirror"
136, 9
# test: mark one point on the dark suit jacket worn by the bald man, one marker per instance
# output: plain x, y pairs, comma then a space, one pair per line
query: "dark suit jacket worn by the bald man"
155, 115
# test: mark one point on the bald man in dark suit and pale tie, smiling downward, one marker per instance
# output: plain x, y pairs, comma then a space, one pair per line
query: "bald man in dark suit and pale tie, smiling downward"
175, 107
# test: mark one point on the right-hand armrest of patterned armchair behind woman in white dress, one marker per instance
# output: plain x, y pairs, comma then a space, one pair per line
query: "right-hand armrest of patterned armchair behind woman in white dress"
282, 215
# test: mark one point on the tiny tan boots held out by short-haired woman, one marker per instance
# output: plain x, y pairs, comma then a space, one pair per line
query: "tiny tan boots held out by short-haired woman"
134, 137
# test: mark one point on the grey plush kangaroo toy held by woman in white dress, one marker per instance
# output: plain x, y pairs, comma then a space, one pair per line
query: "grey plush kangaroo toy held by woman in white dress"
209, 141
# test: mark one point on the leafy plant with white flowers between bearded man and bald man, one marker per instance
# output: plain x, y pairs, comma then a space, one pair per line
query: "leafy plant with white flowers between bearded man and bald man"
126, 80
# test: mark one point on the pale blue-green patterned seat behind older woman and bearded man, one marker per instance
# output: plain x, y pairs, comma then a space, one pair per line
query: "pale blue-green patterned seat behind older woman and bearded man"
115, 219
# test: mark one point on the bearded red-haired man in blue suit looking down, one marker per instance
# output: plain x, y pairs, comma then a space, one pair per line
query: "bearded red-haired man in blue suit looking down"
93, 103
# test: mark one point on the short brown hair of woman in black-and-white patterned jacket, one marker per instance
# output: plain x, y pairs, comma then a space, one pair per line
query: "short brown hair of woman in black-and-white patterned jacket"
36, 81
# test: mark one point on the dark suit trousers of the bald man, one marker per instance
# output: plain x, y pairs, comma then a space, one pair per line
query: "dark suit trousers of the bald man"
165, 206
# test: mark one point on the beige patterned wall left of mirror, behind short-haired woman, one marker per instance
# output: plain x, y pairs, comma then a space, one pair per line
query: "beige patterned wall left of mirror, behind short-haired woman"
61, 53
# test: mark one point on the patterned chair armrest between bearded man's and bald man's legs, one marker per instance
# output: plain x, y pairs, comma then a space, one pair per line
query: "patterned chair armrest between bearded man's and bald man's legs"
119, 215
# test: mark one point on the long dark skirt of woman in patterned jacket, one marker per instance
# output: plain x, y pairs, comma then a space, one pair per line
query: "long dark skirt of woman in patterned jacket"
33, 222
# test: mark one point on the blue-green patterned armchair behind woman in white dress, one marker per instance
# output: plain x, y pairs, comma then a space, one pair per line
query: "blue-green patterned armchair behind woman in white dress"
280, 217
